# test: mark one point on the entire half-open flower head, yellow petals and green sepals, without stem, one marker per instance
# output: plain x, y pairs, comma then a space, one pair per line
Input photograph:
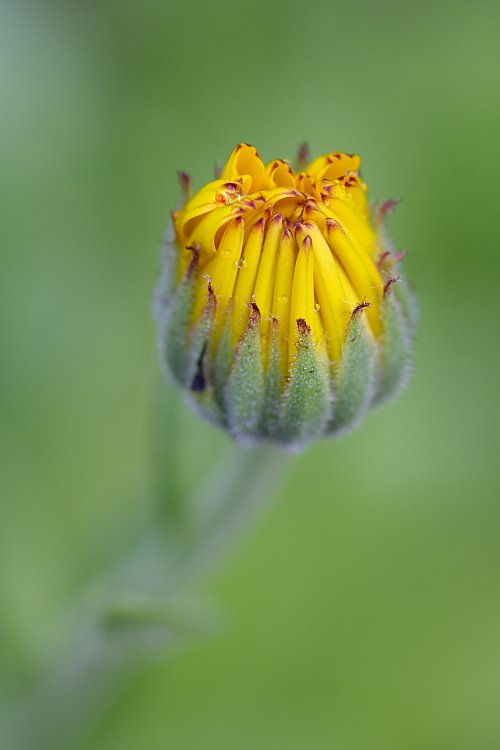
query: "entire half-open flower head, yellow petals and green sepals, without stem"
282, 309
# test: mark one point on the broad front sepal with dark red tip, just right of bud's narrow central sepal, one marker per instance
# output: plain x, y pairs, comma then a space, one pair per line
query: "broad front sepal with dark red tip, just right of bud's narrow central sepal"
307, 399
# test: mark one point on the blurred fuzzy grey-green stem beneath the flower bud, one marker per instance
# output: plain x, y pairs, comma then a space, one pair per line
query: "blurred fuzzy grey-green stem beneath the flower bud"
109, 639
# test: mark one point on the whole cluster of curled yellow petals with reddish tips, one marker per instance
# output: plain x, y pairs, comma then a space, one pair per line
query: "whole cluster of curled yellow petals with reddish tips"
297, 245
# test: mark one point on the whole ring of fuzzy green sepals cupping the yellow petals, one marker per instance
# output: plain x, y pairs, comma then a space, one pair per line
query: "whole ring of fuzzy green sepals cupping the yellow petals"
243, 388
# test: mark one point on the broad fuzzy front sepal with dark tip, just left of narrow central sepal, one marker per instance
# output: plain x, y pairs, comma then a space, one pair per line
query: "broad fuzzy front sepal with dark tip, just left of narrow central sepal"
245, 390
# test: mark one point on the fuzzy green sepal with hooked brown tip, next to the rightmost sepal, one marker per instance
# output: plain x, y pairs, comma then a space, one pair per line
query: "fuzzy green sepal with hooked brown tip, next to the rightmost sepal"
355, 381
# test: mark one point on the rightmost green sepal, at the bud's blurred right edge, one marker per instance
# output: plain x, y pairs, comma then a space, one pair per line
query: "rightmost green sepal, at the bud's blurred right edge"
394, 350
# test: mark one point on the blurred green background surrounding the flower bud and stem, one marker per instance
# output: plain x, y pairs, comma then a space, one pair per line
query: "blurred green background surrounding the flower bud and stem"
363, 611
